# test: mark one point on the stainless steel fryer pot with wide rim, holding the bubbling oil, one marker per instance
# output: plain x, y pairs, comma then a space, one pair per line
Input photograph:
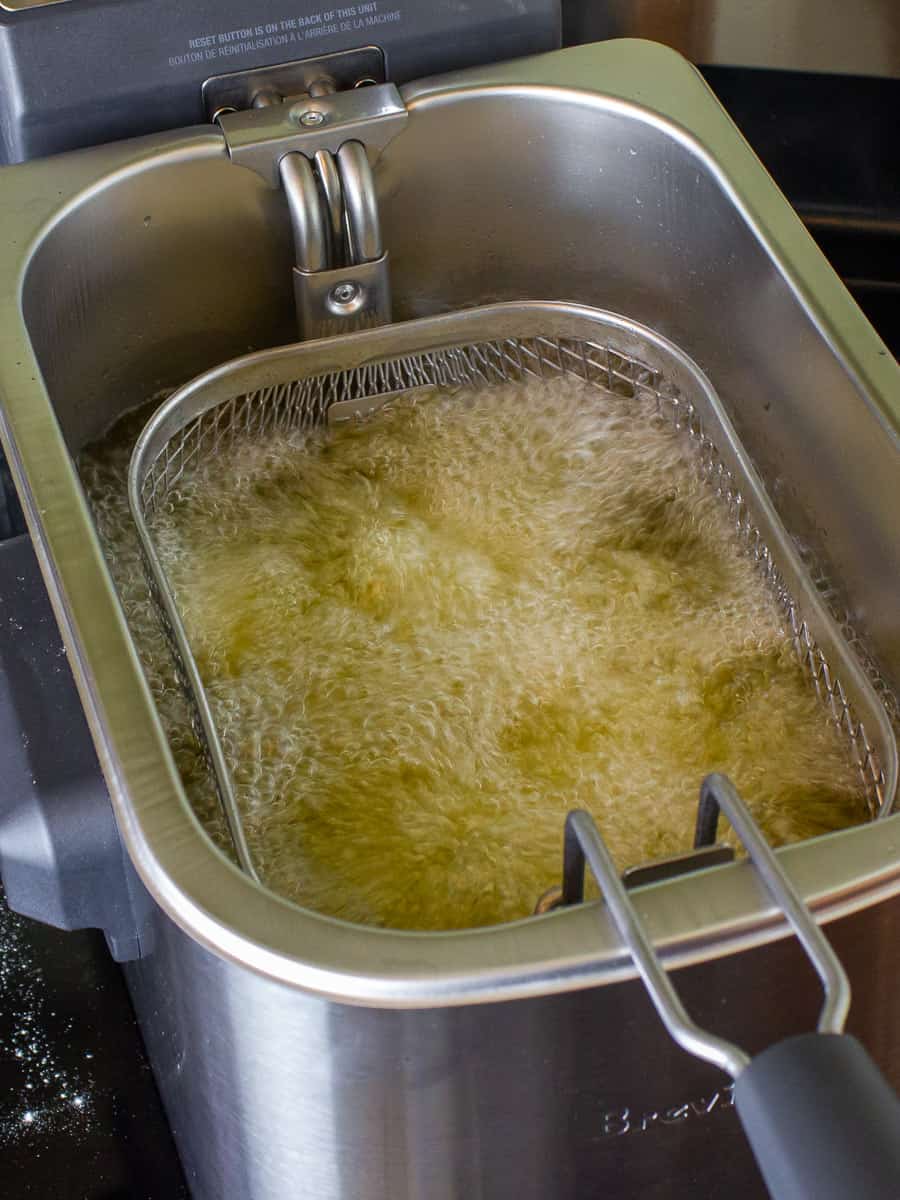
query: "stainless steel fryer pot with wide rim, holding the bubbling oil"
301, 1055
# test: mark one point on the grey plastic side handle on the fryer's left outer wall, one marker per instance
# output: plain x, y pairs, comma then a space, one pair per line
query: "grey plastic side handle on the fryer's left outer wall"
62, 861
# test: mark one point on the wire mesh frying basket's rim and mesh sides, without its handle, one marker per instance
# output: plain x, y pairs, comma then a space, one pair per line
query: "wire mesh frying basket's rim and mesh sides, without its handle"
311, 385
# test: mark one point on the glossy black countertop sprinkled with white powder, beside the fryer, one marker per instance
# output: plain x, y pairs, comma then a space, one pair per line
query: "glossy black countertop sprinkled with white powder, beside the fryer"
80, 1114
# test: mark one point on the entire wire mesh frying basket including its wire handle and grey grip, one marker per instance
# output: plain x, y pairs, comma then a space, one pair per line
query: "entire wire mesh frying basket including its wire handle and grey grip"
817, 1112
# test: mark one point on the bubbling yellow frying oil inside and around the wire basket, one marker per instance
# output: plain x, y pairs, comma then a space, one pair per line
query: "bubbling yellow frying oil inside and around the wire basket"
428, 637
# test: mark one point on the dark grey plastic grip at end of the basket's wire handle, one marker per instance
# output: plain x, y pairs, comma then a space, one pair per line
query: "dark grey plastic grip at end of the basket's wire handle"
823, 1121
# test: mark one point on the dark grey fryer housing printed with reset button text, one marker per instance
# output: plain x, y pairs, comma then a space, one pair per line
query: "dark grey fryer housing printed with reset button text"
83, 73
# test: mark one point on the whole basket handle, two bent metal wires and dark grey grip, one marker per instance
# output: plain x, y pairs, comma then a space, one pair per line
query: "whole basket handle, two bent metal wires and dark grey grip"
820, 1118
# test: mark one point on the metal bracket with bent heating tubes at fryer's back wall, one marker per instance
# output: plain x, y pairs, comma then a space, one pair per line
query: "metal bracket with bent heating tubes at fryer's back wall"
299, 131
